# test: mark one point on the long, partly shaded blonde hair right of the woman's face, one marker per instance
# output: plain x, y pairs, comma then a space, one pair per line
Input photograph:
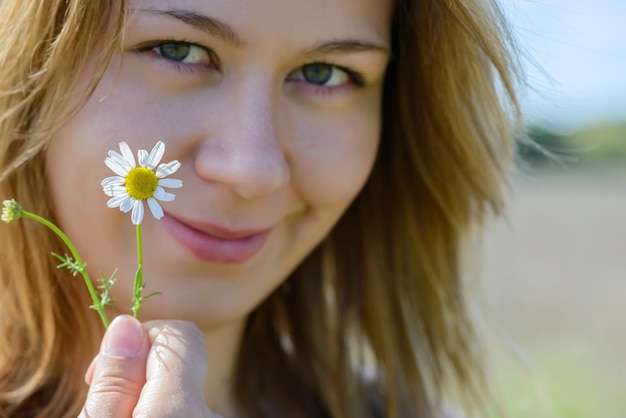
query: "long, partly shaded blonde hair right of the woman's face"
377, 318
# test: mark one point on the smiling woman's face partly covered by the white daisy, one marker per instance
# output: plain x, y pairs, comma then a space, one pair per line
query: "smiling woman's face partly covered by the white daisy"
273, 109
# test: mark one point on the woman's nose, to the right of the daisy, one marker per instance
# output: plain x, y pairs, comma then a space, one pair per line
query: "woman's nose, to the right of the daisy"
241, 149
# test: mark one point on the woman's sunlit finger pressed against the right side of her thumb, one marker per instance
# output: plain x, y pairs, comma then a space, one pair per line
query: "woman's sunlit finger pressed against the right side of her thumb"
176, 371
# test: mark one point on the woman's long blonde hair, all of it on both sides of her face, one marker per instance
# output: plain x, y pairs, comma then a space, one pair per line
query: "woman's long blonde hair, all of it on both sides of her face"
383, 290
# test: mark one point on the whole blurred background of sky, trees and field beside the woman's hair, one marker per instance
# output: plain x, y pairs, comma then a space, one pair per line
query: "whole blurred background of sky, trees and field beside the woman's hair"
552, 294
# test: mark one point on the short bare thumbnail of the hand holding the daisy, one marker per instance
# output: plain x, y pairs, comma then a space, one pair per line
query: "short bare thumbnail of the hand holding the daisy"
124, 337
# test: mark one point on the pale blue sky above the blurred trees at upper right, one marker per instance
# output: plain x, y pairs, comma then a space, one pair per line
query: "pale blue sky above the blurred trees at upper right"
574, 54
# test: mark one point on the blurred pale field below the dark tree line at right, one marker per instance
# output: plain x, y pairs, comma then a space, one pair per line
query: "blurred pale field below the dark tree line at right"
555, 295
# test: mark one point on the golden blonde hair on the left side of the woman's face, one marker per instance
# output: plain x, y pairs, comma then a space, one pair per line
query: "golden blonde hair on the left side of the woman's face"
46, 335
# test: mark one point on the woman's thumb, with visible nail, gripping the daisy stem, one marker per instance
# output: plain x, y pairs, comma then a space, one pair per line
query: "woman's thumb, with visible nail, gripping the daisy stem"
119, 372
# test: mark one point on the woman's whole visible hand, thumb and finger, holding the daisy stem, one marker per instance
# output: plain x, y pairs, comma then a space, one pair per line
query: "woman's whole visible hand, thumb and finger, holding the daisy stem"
158, 373
